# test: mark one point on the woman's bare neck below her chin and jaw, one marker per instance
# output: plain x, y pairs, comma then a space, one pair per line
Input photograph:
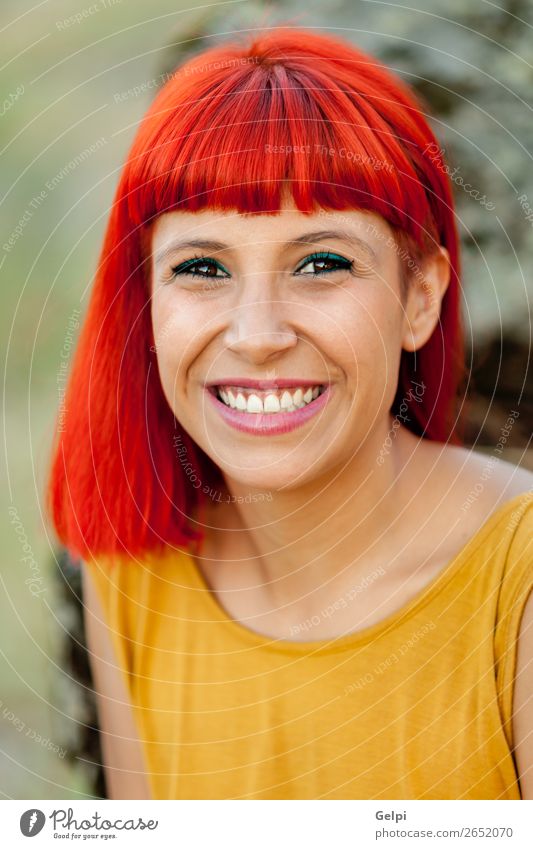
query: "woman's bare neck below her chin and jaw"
310, 534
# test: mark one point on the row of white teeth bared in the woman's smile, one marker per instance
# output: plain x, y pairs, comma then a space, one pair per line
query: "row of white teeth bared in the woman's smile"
270, 401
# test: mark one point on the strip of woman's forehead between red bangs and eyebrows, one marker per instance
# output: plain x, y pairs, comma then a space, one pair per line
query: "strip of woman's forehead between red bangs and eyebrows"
287, 223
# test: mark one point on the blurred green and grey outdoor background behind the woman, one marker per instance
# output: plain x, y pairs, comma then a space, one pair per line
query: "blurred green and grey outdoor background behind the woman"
66, 122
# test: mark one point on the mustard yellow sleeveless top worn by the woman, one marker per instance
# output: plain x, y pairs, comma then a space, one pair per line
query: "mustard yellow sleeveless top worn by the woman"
417, 706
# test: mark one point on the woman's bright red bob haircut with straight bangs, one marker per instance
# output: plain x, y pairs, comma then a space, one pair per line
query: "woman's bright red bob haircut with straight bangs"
117, 483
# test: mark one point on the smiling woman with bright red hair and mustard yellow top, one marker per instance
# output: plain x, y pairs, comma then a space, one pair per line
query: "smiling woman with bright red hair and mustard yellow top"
297, 583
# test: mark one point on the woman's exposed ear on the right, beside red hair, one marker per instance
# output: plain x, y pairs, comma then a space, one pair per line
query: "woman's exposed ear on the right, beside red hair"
426, 288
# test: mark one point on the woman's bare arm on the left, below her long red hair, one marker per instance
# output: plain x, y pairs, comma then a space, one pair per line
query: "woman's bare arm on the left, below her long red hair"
124, 766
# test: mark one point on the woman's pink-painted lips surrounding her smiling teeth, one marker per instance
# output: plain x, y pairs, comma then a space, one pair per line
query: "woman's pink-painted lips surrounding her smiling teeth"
261, 424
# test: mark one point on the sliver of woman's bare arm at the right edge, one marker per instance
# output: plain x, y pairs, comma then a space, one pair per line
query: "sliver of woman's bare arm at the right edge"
523, 703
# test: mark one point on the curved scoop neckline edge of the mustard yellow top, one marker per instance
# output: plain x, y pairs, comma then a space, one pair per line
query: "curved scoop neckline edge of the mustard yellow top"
363, 635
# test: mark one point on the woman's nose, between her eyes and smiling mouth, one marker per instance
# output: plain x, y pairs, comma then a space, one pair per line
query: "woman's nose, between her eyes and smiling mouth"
259, 327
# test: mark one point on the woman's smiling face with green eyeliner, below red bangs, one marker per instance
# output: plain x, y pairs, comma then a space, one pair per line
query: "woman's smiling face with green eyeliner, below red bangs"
278, 337
